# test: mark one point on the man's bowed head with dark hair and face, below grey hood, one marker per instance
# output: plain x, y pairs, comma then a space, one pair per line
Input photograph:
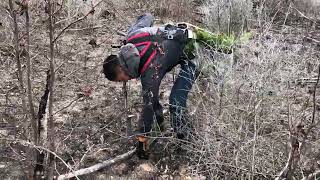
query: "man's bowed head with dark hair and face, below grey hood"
113, 70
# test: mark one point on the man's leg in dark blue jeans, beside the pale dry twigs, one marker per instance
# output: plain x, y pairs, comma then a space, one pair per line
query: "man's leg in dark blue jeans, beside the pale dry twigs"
179, 95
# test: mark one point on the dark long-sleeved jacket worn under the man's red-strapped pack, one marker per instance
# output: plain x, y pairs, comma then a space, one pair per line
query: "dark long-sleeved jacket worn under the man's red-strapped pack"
162, 63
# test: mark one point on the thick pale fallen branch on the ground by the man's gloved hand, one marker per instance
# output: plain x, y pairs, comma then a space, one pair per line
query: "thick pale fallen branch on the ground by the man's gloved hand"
98, 166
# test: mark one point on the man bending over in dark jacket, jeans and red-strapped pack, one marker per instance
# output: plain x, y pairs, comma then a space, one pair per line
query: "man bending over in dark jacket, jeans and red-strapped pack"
149, 53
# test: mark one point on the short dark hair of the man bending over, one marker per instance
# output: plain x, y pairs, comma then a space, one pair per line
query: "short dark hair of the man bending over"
110, 67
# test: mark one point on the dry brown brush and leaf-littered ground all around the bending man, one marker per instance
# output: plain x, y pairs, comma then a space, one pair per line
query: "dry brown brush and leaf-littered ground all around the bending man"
255, 112
